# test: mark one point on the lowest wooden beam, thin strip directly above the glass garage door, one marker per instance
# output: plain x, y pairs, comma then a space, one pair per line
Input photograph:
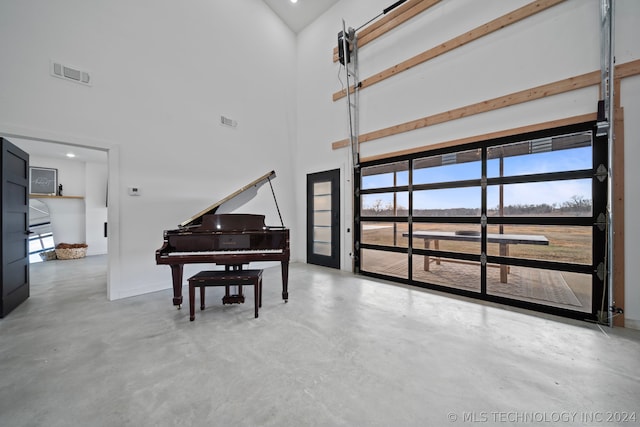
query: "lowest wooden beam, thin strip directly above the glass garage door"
492, 135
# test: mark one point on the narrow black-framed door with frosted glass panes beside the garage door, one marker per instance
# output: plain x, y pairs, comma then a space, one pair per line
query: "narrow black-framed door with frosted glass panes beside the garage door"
323, 218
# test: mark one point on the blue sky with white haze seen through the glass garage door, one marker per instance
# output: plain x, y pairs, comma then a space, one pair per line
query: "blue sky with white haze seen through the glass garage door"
556, 192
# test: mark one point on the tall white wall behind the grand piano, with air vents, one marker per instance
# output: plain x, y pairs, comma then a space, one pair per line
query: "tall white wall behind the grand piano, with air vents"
162, 72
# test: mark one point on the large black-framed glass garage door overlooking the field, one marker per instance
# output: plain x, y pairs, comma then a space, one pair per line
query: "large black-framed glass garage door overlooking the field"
512, 220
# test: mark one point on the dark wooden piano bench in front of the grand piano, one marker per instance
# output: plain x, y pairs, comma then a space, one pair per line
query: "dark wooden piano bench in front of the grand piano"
226, 279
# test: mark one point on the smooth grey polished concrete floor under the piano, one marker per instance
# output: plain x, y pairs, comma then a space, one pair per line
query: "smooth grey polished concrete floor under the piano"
345, 351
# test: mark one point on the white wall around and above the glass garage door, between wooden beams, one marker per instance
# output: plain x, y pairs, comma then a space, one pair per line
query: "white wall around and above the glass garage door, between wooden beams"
561, 42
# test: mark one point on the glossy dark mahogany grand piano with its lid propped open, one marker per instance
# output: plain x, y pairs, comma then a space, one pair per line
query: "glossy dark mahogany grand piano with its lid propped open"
231, 239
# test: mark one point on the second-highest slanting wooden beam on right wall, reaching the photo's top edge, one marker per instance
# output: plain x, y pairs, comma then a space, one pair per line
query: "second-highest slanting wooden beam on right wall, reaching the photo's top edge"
478, 32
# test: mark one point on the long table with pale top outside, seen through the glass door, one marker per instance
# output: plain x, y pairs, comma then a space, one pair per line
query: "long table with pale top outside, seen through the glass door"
504, 240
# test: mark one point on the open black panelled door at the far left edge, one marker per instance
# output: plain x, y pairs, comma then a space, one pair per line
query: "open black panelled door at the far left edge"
15, 227
